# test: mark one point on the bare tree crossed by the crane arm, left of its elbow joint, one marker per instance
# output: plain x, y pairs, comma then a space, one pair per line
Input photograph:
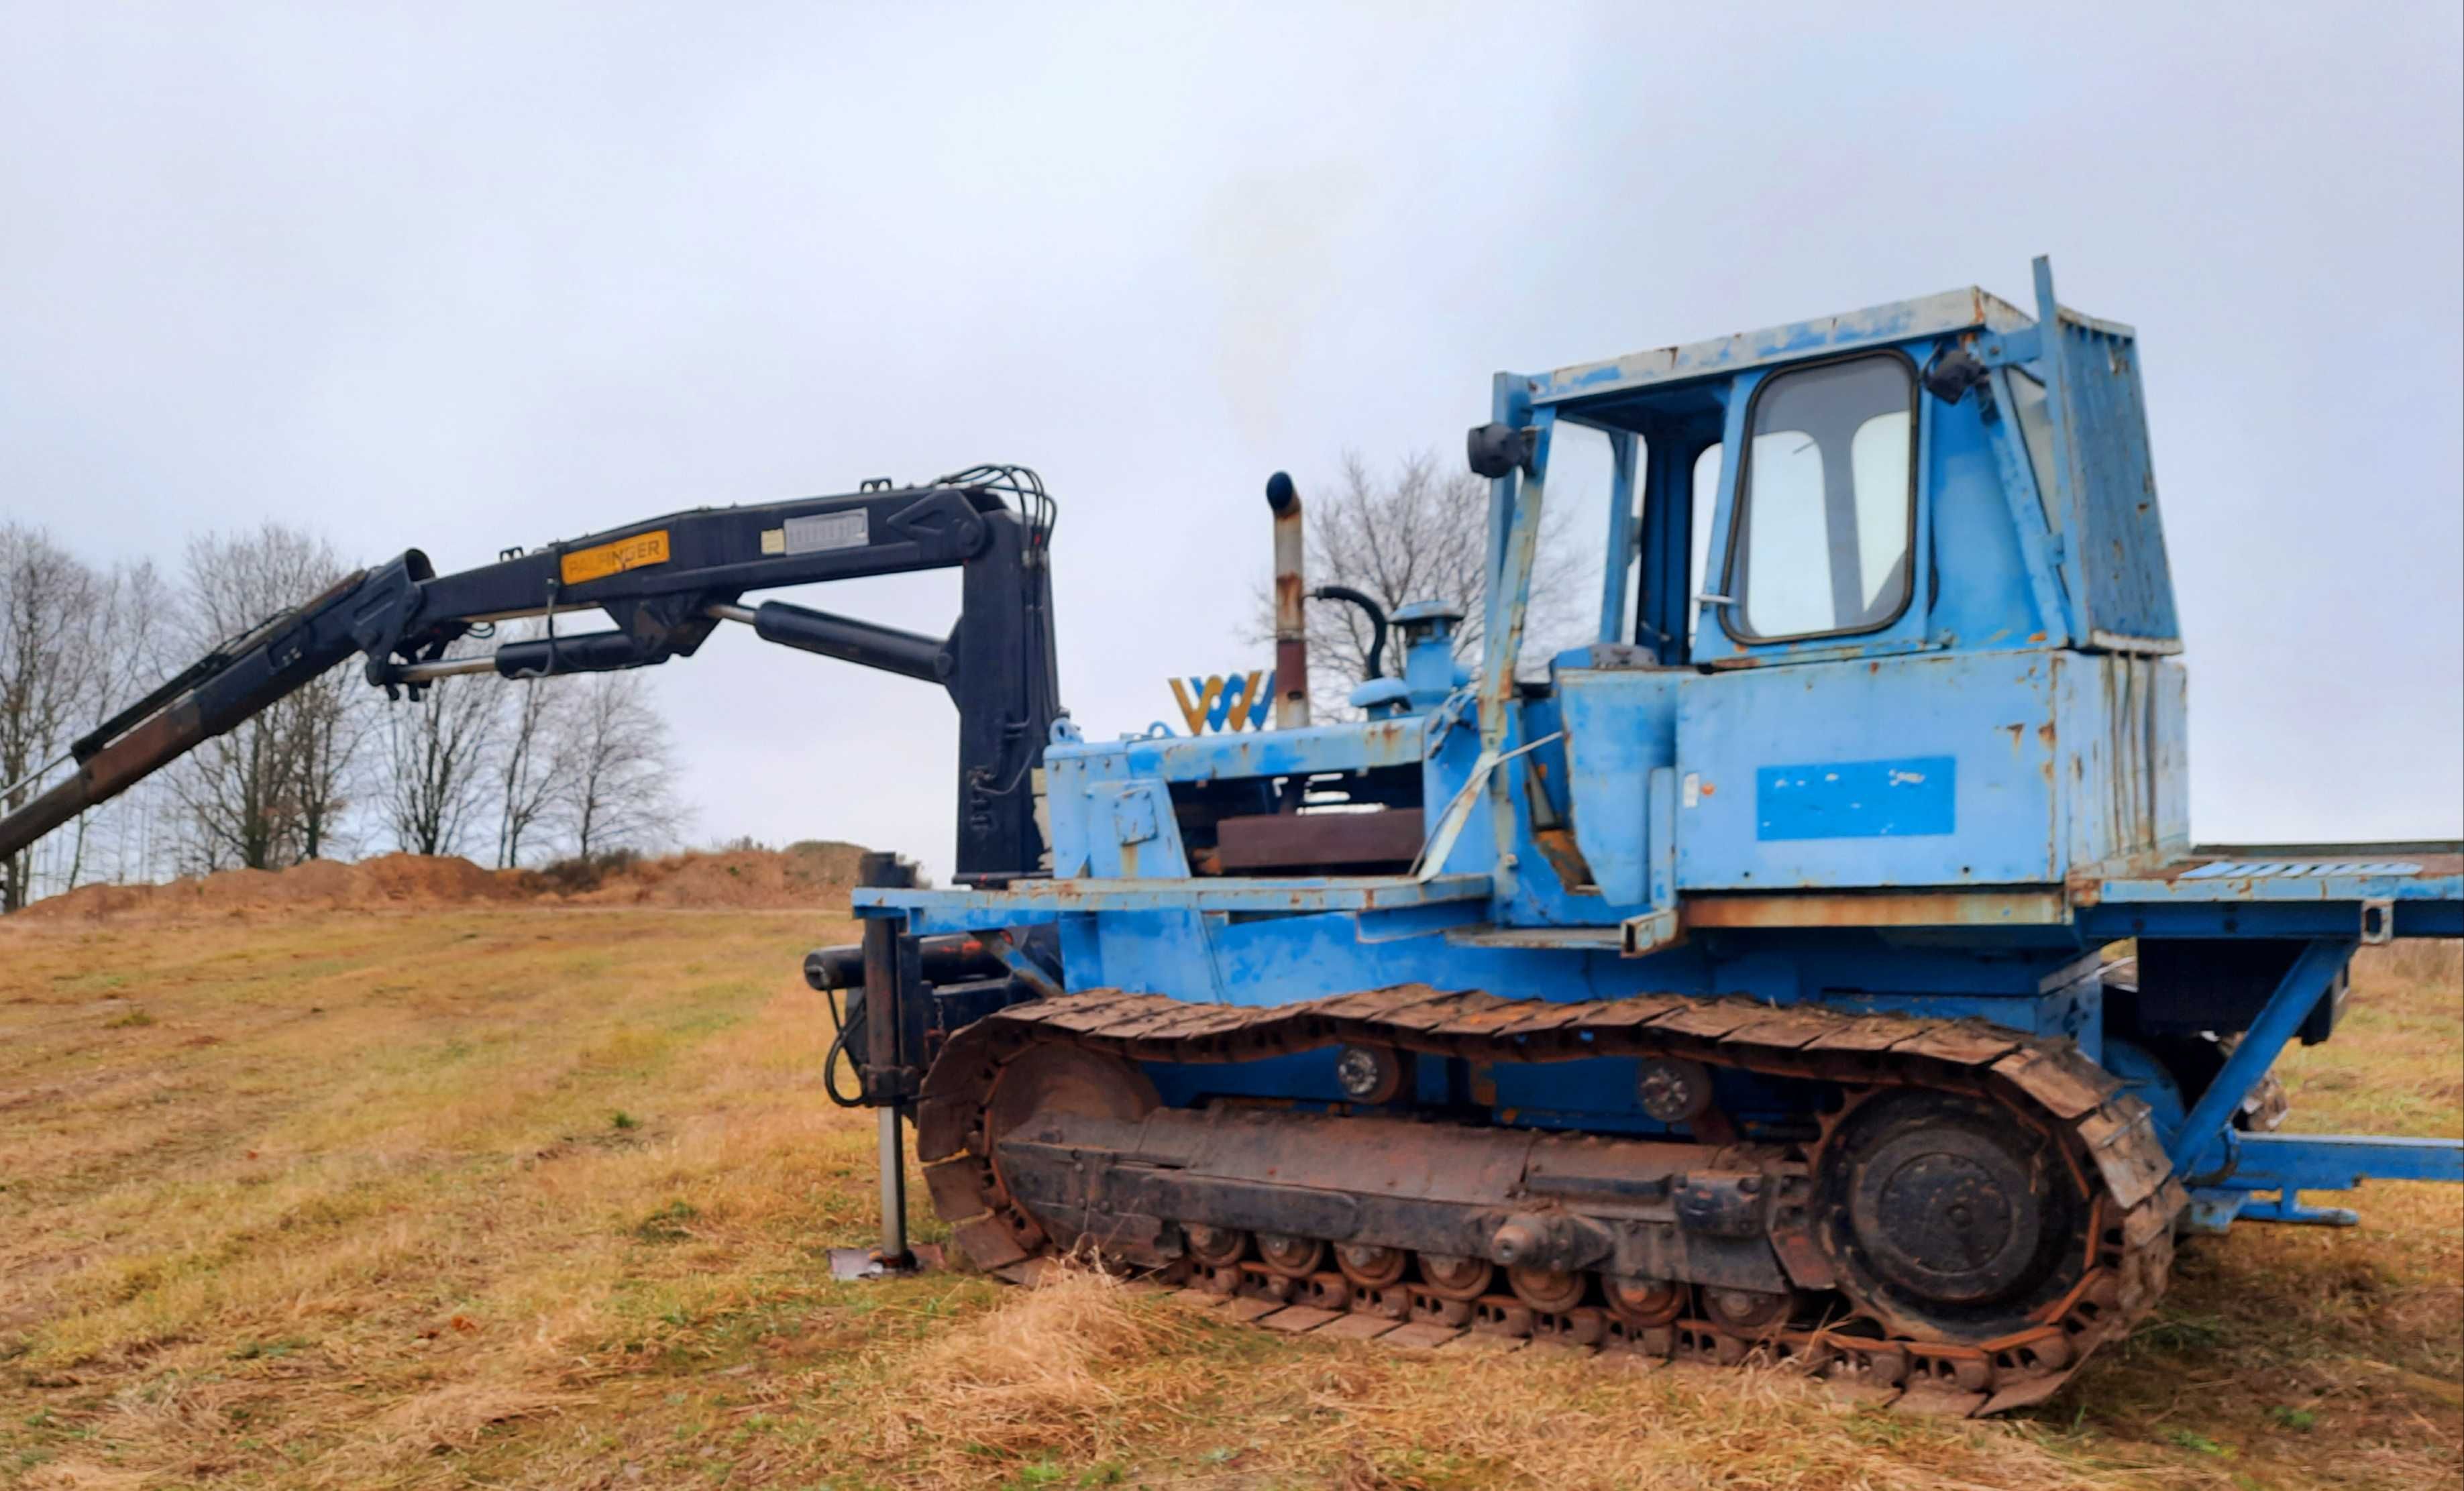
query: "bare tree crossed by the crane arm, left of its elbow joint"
275, 790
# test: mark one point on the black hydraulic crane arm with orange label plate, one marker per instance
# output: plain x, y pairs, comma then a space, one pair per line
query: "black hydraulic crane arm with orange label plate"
667, 585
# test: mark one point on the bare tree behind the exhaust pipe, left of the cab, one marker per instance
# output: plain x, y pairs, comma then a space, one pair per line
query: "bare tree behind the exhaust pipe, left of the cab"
1418, 534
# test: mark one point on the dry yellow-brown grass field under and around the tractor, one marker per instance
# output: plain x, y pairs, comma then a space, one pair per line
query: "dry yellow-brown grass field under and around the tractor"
541, 1196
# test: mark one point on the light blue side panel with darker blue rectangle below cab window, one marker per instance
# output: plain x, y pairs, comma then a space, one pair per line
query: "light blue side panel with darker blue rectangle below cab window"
1933, 770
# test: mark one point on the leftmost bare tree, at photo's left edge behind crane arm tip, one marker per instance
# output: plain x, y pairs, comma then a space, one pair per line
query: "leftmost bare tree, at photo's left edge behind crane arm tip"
55, 672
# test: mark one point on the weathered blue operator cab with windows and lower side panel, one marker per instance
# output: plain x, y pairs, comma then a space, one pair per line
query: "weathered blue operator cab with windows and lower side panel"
1884, 595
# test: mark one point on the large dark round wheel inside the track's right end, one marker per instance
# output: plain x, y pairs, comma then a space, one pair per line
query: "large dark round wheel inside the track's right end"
1948, 1219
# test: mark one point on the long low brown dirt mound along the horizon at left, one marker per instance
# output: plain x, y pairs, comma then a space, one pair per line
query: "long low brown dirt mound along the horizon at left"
809, 874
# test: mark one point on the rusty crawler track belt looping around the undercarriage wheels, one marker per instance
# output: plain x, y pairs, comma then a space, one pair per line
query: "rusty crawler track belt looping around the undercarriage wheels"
2105, 1135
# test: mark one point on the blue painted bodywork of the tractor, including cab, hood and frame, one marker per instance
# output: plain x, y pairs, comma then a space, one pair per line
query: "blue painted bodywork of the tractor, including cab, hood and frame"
1948, 817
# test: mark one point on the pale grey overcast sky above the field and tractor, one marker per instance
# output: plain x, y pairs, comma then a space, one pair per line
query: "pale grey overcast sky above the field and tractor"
516, 272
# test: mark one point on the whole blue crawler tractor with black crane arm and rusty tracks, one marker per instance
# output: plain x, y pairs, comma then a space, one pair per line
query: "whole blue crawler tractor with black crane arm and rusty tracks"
1810, 967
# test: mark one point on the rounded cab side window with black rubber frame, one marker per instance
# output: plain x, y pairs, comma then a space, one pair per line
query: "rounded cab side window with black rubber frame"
1830, 504
